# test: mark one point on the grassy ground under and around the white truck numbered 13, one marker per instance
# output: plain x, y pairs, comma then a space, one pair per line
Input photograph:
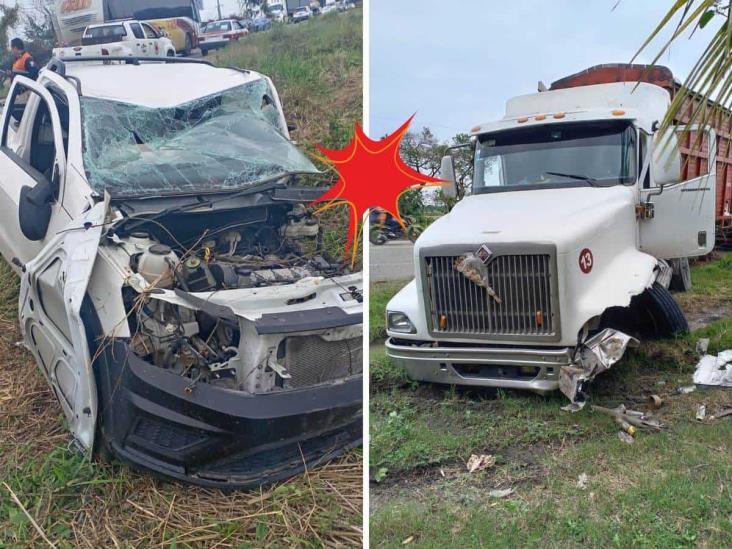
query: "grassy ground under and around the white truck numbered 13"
671, 489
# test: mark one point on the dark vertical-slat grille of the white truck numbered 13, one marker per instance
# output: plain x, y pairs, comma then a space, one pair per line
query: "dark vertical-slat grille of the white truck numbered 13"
523, 283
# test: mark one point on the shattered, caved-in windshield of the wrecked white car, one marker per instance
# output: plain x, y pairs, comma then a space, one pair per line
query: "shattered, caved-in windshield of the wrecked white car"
225, 141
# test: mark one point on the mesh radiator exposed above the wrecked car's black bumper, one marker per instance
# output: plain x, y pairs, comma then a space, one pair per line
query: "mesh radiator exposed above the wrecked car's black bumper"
311, 360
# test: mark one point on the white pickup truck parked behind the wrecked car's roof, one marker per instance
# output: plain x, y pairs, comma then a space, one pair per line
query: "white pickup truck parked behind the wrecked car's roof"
120, 39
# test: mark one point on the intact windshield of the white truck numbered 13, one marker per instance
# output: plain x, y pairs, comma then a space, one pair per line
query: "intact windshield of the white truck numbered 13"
596, 154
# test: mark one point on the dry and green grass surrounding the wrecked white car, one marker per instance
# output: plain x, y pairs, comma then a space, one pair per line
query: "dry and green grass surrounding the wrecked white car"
74, 502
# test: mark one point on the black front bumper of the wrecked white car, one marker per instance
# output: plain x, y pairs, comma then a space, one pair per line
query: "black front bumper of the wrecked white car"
217, 437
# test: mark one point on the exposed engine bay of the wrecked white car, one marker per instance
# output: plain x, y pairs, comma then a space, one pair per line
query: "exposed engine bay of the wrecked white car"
250, 250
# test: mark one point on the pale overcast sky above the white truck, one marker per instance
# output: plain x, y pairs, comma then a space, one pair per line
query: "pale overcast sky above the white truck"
456, 63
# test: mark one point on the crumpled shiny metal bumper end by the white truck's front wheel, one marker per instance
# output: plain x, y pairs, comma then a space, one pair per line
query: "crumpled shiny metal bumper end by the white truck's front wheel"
593, 357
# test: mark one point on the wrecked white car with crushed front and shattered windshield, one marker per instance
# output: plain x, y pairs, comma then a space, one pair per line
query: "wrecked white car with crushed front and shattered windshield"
174, 291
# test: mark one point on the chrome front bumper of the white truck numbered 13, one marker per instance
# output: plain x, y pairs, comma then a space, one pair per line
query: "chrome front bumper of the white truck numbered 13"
532, 369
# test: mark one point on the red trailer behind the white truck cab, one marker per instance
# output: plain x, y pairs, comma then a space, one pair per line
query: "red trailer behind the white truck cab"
695, 158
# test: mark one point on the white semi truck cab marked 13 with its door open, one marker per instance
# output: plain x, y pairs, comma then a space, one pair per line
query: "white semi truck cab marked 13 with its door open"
561, 256
